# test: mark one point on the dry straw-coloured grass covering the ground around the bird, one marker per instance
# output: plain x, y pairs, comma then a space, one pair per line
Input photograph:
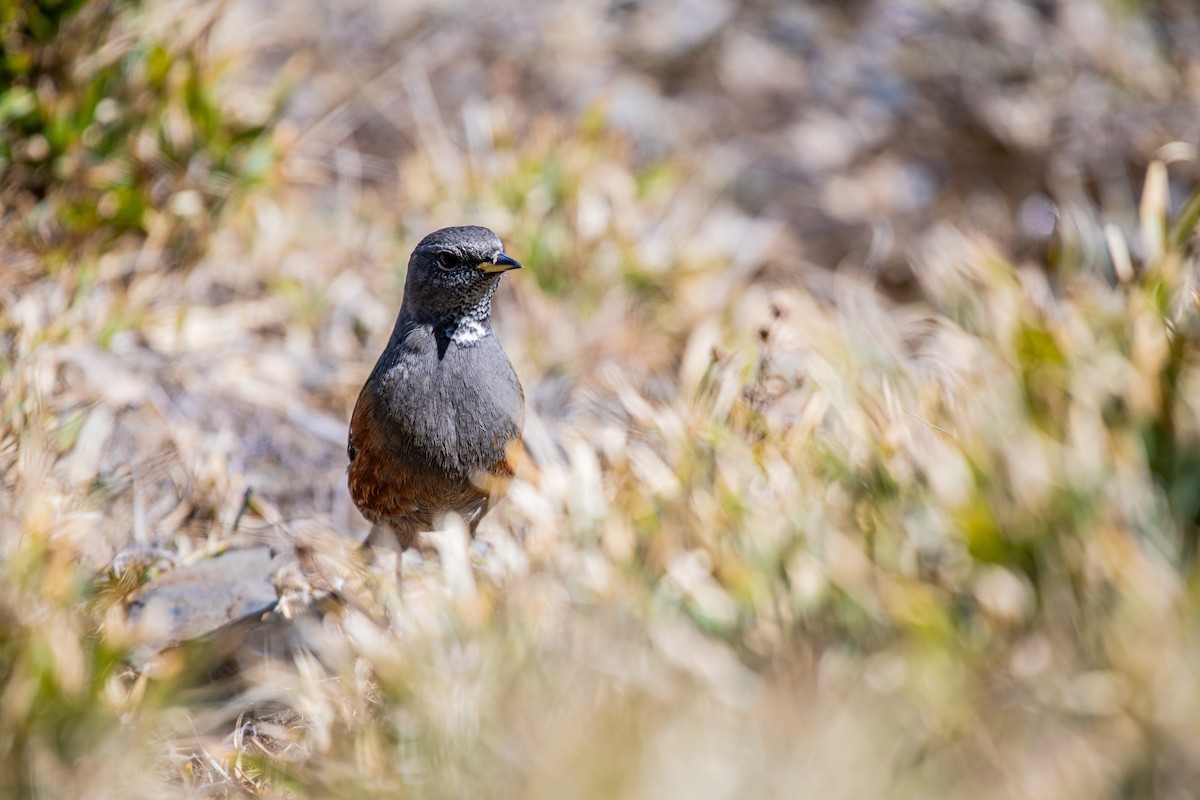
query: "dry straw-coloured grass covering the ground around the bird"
784, 537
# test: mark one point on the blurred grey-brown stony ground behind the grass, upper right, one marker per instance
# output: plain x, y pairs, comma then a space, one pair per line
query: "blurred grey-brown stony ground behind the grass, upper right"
860, 127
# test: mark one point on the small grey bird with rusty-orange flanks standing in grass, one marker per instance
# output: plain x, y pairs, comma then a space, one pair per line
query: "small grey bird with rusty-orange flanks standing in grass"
439, 424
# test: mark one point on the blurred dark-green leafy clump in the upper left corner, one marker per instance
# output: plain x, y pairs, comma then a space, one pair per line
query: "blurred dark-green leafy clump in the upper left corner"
112, 125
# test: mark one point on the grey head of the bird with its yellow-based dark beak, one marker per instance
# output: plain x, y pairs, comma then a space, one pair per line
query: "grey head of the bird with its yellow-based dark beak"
455, 272
